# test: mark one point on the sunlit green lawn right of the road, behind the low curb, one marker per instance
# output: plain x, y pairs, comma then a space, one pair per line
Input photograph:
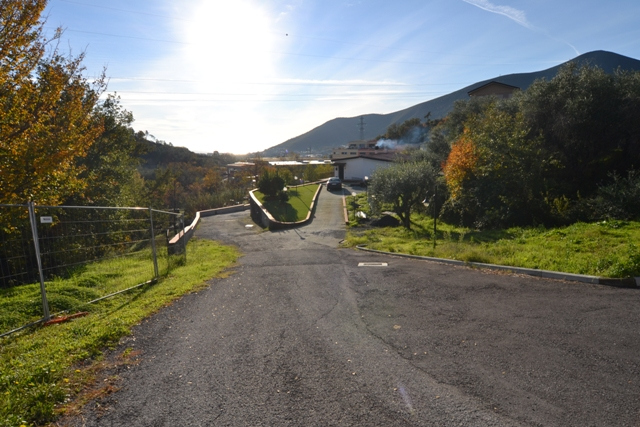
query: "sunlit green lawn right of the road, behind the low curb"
606, 248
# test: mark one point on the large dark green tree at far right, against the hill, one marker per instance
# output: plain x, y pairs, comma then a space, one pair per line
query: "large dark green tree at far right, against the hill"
589, 121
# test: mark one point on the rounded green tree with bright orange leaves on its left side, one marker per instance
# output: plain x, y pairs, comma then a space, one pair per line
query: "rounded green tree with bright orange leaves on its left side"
496, 173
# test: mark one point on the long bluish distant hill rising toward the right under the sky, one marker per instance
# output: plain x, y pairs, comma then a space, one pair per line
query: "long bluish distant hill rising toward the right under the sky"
340, 131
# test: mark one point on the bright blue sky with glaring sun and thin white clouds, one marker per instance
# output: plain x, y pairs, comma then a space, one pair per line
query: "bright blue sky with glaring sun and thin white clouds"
241, 76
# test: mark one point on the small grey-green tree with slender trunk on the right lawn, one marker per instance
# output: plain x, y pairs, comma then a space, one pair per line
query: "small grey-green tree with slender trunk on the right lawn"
404, 186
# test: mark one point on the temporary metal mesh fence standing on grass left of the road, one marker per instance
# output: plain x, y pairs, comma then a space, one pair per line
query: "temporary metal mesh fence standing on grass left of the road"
54, 259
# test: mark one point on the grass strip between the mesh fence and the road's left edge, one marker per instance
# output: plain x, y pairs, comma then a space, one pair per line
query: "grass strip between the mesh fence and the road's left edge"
43, 368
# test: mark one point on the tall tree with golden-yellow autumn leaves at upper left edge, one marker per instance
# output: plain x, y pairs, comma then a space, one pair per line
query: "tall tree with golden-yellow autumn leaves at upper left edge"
47, 119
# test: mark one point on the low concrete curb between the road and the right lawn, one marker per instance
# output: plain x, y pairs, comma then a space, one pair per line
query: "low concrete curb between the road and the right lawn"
631, 282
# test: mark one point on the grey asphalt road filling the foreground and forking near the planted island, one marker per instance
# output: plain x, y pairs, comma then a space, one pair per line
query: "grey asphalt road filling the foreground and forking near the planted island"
301, 335
